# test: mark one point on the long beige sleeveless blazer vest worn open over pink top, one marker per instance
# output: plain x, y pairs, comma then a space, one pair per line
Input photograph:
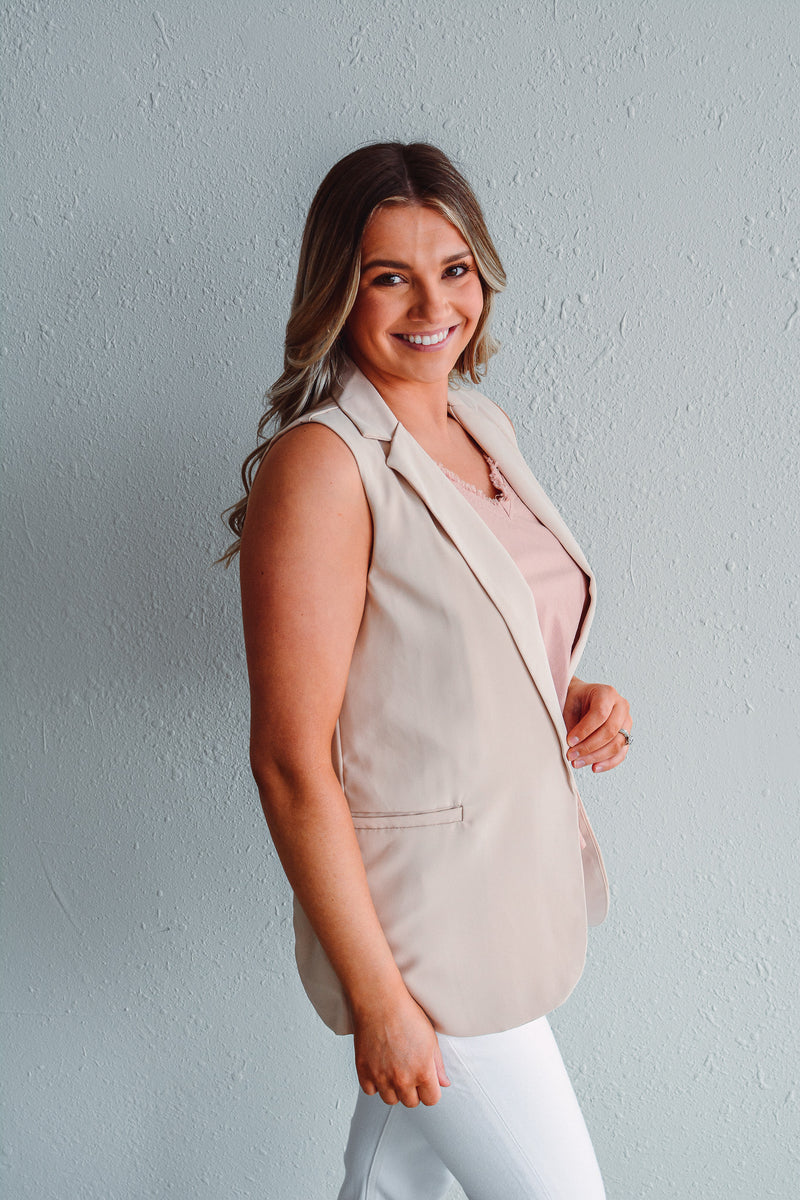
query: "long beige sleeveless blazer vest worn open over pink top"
450, 746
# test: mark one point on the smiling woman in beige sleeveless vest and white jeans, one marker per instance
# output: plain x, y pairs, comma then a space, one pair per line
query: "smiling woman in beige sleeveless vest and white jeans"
414, 609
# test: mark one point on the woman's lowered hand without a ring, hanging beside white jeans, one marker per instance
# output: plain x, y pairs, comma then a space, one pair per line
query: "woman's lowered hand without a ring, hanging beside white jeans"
398, 1054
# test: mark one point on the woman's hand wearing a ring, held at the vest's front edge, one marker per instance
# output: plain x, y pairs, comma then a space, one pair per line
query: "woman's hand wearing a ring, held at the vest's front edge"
594, 715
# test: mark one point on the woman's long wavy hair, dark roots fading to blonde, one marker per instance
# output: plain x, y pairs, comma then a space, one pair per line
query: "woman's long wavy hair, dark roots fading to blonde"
329, 275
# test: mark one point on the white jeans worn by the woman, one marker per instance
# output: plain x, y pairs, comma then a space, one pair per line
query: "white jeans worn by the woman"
508, 1129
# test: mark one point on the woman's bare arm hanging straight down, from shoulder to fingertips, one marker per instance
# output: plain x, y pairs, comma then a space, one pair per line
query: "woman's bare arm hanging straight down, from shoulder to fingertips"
305, 557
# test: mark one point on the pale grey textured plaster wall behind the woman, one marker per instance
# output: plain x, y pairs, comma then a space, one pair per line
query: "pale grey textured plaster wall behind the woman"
640, 170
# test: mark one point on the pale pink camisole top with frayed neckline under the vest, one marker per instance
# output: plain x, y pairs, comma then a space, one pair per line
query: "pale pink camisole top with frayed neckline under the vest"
560, 586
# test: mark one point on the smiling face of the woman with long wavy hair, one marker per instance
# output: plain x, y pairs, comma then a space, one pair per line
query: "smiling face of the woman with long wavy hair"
419, 298
